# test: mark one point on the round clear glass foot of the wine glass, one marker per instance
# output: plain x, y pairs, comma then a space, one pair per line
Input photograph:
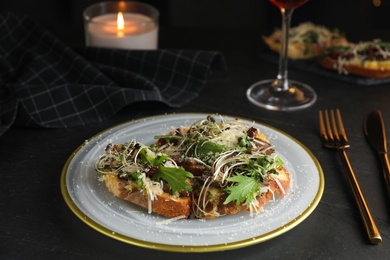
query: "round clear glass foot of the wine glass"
298, 96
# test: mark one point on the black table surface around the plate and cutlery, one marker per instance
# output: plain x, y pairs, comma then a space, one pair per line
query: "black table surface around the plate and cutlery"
35, 221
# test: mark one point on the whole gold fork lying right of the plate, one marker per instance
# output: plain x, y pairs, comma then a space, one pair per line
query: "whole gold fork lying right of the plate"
333, 136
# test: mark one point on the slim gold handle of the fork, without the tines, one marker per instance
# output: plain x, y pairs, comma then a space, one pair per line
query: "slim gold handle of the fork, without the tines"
369, 223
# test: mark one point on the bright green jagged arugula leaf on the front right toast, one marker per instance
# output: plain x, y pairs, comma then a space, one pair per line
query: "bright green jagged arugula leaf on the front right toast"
243, 190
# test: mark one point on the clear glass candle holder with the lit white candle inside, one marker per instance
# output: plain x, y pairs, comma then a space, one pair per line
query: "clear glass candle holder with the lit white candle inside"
121, 25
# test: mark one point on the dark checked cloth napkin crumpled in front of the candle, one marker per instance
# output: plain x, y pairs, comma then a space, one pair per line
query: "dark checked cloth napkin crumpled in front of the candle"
45, 83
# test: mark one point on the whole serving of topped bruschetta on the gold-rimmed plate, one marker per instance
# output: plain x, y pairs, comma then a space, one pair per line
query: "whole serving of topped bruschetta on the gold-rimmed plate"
215, 167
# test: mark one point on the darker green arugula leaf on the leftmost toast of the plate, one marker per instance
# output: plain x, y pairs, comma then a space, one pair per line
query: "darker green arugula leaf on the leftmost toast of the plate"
175, 177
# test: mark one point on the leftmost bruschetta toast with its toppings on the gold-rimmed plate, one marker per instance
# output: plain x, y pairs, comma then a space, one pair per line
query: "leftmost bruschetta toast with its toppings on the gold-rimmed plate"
134, 172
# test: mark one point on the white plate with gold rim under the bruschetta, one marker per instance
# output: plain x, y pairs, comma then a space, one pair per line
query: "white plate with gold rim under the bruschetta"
92, 203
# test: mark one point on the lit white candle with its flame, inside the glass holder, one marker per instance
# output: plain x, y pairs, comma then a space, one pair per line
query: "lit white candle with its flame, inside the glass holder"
122, 31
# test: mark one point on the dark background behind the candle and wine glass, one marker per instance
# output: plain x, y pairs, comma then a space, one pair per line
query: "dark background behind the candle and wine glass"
359, 19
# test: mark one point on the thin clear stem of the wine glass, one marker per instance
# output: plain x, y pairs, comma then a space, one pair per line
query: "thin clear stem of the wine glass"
282, 77
